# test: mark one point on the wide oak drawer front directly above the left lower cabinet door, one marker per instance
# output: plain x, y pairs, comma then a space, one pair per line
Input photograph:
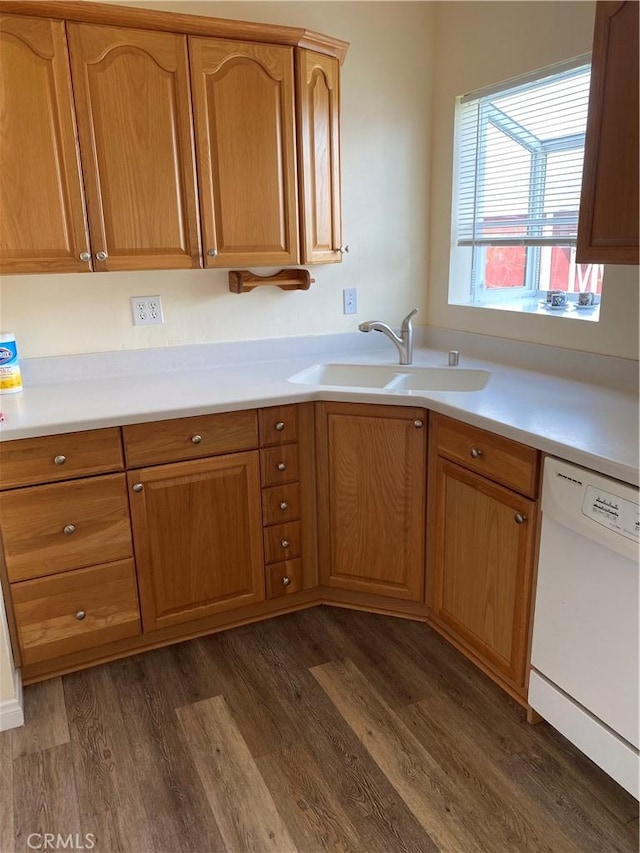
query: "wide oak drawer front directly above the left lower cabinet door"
189, 438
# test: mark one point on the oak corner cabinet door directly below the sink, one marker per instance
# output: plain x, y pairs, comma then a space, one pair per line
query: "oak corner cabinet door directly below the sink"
371, 498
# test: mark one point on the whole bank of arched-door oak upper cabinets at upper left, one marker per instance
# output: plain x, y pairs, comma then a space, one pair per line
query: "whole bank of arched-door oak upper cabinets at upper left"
97, 100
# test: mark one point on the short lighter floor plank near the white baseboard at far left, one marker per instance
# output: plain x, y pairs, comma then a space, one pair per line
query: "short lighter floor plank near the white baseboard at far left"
45, 719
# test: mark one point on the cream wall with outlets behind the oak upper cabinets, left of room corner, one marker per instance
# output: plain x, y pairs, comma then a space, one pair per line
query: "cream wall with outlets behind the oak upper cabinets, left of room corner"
386, 82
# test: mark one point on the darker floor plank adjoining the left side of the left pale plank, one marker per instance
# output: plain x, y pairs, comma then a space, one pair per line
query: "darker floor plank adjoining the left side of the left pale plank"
165, 777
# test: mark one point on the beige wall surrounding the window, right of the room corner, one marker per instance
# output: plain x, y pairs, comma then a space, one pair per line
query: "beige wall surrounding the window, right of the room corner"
478, 44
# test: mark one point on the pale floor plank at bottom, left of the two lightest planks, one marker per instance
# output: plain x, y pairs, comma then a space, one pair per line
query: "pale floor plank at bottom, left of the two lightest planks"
243, 807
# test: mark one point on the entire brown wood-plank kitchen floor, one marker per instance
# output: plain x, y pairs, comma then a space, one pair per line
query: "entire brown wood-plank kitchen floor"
327, 729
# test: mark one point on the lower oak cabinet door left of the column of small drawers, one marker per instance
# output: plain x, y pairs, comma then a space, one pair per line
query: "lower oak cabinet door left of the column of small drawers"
197, 530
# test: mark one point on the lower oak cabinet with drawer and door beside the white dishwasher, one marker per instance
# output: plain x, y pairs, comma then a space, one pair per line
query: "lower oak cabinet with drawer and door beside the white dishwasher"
481, 546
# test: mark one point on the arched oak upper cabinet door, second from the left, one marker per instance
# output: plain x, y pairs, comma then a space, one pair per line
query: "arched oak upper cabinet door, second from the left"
134, 121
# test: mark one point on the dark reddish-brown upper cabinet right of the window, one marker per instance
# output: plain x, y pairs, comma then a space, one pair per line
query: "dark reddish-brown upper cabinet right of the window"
608, 226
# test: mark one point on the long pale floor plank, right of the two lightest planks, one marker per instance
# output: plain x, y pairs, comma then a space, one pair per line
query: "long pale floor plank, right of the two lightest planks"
417, 778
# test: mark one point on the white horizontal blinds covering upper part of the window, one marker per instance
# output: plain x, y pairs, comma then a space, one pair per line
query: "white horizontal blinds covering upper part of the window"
520, 153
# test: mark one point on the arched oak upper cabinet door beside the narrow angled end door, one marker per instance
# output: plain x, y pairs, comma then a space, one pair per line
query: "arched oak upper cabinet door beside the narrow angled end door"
245, 138
